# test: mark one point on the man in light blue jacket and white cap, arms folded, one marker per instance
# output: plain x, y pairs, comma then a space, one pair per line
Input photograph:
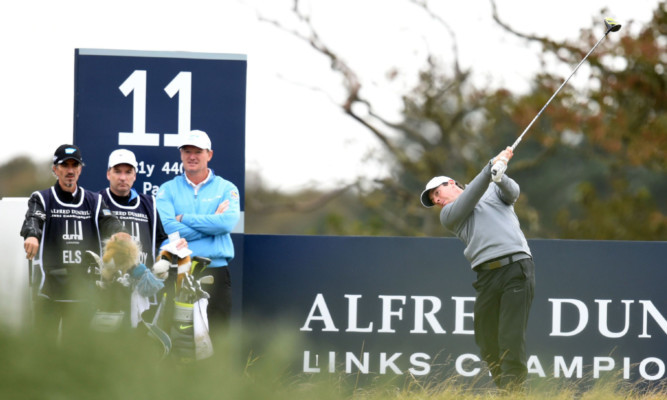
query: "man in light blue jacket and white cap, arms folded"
203, 208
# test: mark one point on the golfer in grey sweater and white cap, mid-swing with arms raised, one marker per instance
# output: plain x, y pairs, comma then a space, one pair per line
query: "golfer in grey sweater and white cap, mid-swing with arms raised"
482, 216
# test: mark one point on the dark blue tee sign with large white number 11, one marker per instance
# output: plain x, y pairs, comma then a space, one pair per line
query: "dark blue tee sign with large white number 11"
144, 101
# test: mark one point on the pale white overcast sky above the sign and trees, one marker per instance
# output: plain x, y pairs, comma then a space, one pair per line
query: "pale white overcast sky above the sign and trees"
295, 136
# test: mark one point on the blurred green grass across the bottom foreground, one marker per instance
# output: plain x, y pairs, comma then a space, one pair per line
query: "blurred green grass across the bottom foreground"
251, 363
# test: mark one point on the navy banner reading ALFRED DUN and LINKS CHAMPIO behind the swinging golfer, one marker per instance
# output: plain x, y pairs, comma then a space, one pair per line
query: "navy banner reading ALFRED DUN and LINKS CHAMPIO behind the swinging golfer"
391, 307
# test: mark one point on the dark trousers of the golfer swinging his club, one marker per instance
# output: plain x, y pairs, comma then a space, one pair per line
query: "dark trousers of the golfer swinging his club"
504, 297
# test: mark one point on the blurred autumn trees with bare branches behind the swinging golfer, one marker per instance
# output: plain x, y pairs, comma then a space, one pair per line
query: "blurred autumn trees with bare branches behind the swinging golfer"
448, 124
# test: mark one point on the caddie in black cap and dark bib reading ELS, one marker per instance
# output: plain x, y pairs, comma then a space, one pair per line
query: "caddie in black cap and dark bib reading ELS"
61, 224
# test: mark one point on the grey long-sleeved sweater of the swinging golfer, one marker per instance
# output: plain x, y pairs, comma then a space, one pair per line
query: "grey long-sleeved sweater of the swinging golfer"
483, 218
